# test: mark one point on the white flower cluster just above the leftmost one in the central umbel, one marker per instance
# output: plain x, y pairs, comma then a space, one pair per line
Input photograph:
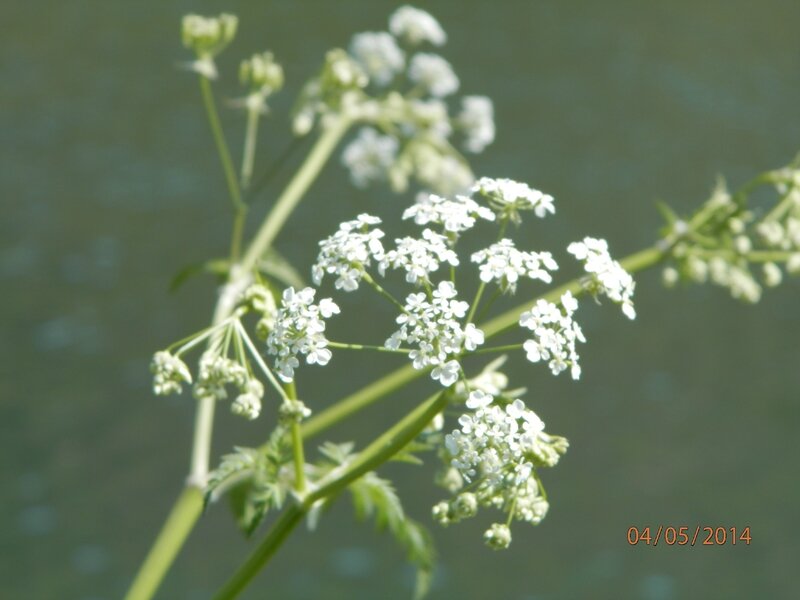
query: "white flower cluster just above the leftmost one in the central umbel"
349, 252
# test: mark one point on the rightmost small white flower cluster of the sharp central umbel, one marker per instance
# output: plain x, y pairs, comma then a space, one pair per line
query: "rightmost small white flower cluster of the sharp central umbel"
606, 275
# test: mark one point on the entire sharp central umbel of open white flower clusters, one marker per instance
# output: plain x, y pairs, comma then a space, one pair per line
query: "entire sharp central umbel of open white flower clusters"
434, 325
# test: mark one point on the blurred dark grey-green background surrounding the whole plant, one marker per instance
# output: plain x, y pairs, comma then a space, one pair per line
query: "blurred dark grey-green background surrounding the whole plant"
110, 183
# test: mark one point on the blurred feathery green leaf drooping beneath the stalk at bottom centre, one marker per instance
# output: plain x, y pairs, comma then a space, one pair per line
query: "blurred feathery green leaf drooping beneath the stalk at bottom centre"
376, 497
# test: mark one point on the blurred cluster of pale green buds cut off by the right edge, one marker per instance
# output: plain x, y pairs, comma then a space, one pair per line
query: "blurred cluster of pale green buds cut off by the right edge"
735, 246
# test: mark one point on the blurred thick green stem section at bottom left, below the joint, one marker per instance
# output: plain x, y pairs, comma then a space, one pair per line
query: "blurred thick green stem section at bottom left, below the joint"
176, 529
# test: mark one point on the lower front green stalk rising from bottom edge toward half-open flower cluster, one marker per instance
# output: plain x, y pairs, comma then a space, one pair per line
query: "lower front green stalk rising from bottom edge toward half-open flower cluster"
373, 456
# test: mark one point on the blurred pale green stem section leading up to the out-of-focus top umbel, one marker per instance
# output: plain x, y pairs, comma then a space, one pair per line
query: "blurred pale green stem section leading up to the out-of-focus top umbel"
294, 191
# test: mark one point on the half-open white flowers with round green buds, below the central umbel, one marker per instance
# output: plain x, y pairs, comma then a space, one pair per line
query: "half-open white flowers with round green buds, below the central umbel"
498, 448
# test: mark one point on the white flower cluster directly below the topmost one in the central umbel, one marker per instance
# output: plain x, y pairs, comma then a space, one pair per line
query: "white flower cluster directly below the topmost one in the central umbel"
503, 263
